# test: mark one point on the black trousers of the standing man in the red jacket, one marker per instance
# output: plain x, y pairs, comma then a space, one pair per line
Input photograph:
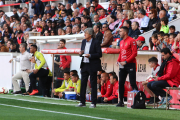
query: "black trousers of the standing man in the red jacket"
130, 69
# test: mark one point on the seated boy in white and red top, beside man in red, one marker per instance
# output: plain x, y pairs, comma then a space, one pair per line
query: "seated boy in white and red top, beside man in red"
153, 63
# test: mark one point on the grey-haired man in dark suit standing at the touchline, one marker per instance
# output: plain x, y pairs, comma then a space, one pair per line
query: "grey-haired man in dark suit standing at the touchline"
90, 64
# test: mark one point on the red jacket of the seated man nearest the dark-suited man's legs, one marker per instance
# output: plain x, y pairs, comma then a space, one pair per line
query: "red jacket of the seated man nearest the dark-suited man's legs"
106, 89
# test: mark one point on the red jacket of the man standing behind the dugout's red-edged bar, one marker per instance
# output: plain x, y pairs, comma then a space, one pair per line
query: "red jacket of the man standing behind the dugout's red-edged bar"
65, 60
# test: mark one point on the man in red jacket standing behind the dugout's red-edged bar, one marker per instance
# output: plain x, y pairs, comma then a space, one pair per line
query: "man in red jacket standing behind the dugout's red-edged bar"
64, 64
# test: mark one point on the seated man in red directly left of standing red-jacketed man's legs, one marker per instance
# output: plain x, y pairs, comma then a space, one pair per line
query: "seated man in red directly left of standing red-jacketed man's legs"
114, 97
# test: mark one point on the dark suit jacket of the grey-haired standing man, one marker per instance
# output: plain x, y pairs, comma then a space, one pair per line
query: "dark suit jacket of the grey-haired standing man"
95, 55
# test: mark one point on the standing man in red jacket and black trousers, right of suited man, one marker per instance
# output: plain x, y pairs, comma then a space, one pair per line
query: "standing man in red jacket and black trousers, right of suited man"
127, 63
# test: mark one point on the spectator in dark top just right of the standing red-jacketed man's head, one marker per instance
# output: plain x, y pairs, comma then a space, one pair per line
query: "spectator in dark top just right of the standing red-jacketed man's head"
135, 30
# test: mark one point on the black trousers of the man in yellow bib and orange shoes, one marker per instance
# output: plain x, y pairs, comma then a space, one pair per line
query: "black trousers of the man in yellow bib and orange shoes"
43, 77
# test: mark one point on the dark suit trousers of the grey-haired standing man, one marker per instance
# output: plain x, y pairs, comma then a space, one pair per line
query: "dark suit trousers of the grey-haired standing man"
85, 73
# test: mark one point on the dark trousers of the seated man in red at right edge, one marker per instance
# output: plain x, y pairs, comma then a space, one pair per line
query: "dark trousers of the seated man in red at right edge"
157, 87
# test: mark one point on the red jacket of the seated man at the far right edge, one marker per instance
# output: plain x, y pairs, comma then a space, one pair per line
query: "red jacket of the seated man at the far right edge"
171, 73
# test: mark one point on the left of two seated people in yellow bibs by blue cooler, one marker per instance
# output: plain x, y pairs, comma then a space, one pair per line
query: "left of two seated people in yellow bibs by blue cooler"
67, 83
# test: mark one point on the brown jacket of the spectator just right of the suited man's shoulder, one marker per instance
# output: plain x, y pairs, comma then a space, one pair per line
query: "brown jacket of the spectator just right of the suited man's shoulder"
108, 38
